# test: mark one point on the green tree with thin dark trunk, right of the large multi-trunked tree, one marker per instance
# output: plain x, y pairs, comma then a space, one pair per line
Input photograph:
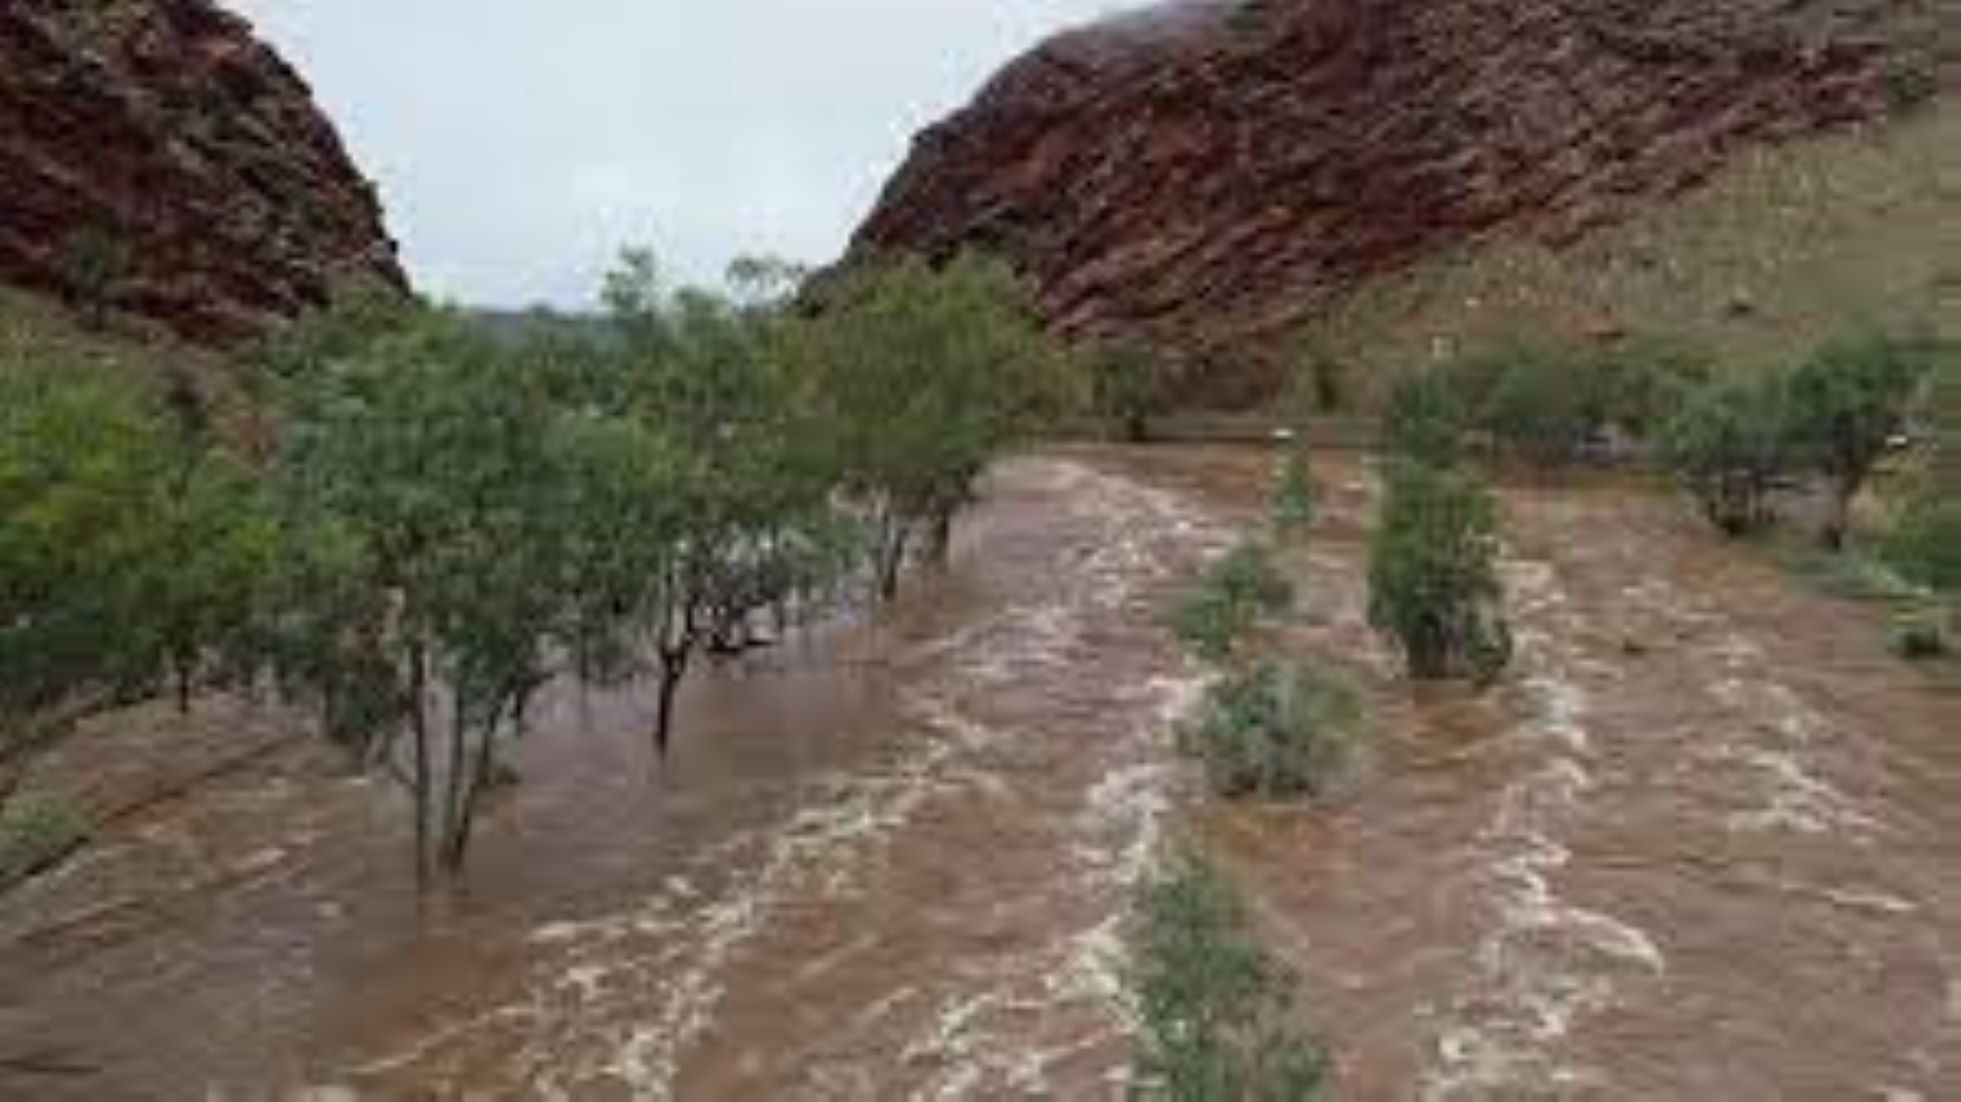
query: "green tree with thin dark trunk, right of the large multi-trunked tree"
732, 495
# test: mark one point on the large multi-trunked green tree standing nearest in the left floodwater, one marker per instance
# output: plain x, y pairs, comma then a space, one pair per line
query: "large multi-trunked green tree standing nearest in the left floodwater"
427, 462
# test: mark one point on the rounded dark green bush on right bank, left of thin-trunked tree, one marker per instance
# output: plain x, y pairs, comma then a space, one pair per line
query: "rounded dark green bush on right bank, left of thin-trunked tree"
1729, 446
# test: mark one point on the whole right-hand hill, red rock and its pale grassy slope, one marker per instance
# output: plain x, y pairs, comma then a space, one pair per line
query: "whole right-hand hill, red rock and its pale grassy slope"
1221, 177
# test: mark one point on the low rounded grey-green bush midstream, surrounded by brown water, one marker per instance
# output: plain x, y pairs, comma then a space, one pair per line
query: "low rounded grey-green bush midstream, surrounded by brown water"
1276, 732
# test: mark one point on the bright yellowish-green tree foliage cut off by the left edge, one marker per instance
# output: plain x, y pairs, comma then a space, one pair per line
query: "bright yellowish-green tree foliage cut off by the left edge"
130, 546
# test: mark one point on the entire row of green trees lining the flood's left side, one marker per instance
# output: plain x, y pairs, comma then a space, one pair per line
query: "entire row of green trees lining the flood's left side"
456, 519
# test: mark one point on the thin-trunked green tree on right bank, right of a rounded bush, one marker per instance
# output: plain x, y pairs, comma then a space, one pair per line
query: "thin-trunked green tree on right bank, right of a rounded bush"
1844, 405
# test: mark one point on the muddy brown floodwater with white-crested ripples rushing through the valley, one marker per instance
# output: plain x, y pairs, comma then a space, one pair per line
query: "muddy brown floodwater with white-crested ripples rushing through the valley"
1703, 844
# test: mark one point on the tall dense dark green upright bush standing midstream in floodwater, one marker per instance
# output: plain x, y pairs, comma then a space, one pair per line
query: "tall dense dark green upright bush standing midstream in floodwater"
1433, 576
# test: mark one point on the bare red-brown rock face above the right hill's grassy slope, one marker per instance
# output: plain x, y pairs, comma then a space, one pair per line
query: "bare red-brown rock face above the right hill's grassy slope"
1205, 174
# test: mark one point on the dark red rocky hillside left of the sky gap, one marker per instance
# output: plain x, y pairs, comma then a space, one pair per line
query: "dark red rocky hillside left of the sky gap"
156, 154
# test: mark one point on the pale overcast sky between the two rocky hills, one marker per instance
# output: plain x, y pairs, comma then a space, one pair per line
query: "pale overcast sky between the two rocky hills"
521, 144
